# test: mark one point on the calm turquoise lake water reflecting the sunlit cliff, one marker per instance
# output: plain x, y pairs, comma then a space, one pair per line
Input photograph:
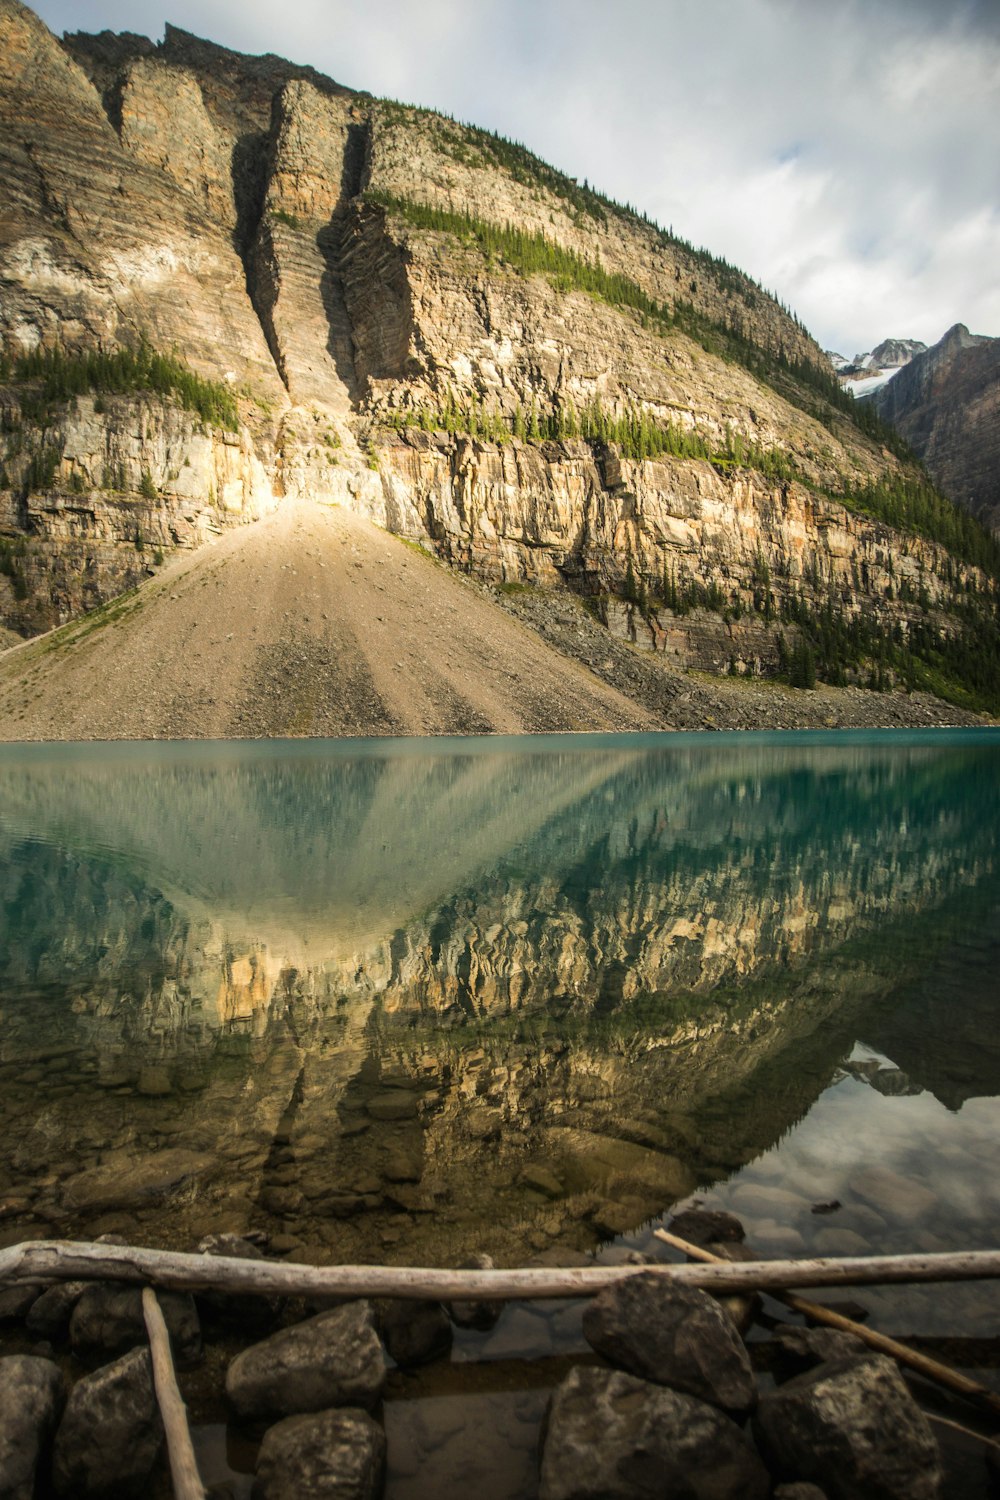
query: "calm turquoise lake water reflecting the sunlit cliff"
412, 1000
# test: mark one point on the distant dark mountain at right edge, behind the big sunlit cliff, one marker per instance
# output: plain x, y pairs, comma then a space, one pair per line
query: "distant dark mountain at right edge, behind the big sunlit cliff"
947, 406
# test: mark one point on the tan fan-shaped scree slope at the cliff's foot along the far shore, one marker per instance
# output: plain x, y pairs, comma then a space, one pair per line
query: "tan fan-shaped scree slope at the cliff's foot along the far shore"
317, 623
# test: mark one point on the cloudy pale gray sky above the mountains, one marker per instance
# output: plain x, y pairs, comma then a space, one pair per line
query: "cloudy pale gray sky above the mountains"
843, 152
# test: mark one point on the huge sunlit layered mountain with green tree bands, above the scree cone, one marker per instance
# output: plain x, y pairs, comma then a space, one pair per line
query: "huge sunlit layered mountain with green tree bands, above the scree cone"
230, 284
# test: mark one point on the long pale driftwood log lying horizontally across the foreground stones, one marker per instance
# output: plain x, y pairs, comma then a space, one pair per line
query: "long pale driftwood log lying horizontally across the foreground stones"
76, 1261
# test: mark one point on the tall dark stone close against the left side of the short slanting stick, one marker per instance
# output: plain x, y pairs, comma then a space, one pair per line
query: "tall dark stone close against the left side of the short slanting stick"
112, 1432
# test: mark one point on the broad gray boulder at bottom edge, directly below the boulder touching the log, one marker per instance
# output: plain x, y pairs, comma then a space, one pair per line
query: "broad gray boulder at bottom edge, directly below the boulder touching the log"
614, 1438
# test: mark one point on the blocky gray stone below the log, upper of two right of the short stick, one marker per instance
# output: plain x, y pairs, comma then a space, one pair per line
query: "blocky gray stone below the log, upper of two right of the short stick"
331, 1360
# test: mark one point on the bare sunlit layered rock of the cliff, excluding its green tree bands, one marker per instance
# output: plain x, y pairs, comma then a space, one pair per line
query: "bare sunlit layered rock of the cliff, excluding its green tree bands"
235, 209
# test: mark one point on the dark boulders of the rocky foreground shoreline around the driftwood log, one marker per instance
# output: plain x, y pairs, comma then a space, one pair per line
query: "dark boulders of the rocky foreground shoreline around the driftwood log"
681, 1394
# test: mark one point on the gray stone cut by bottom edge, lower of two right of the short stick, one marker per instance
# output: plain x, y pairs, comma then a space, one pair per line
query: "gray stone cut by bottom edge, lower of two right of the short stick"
340, 1456
